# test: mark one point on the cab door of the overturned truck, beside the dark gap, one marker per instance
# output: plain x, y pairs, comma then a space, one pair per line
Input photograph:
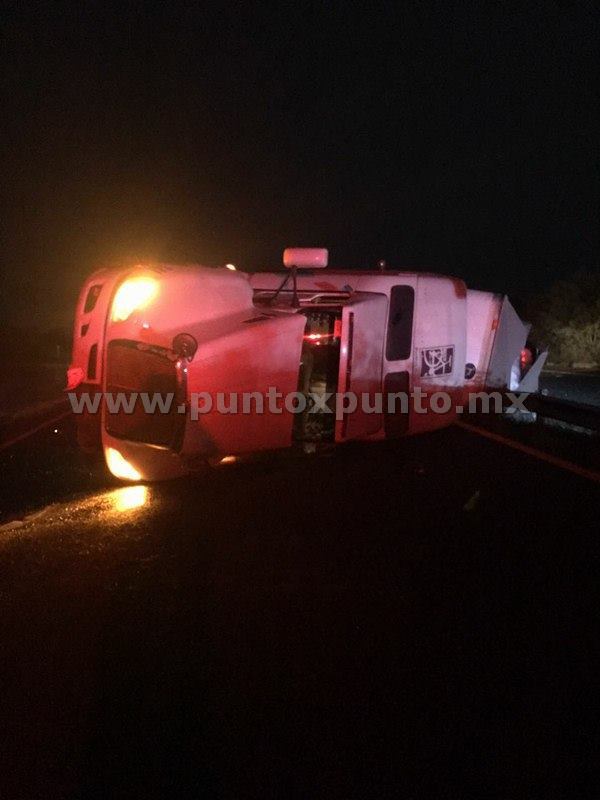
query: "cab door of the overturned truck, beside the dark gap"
361, 353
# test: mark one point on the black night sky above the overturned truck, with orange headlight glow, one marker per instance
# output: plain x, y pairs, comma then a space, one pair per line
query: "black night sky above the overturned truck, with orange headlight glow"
459, 139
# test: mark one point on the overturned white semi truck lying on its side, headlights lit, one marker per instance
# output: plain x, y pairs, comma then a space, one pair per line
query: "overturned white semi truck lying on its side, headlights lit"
175, 365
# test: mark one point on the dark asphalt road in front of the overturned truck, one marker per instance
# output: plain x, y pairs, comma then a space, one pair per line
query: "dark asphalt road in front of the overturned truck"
410, 620
